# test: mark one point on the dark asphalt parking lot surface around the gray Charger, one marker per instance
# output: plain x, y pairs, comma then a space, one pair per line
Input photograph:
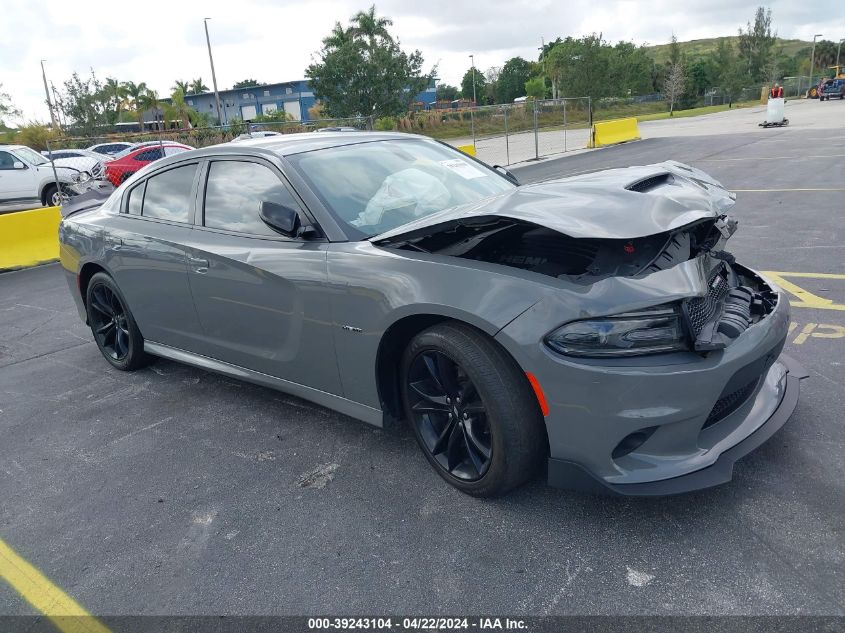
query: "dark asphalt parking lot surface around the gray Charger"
175, 491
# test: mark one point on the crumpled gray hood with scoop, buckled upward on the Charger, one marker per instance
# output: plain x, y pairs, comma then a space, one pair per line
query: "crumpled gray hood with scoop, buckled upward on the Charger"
623, 203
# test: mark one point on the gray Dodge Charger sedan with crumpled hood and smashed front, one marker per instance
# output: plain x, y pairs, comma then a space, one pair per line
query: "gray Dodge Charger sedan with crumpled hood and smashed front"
595, 326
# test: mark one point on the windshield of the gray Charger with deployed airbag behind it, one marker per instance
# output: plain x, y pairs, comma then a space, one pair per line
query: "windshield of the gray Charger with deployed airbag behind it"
377, 186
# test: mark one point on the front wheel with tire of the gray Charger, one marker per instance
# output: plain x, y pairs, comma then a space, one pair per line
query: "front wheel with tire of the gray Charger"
492, 441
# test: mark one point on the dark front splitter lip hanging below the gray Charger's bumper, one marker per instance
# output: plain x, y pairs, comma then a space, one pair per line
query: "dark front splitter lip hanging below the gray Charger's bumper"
570, 475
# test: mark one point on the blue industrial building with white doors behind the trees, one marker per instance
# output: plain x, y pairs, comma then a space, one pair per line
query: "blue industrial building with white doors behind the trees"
295, 97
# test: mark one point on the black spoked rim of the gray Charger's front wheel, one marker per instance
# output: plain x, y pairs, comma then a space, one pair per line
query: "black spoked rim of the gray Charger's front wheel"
449, 415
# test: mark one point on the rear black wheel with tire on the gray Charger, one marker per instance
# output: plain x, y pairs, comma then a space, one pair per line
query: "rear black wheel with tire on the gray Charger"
112, 324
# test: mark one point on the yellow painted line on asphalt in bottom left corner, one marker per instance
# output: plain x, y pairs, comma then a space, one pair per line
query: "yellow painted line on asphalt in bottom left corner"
62, 610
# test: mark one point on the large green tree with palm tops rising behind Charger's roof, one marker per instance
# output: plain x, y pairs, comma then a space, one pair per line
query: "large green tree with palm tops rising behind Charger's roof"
362, 70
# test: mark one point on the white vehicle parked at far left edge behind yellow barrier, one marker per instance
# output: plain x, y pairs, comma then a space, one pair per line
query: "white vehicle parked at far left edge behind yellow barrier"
27, 175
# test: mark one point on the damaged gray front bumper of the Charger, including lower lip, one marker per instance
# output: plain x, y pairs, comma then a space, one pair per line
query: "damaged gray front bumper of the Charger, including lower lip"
665, 423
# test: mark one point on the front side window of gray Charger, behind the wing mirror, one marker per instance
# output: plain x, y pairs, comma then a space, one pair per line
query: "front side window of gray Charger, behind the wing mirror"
234, 193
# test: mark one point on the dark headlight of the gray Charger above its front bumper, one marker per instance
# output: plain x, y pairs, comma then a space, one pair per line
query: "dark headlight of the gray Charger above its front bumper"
654, 331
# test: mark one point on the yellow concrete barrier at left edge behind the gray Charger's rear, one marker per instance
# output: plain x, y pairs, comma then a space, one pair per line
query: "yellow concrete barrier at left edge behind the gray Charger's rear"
29, 237
